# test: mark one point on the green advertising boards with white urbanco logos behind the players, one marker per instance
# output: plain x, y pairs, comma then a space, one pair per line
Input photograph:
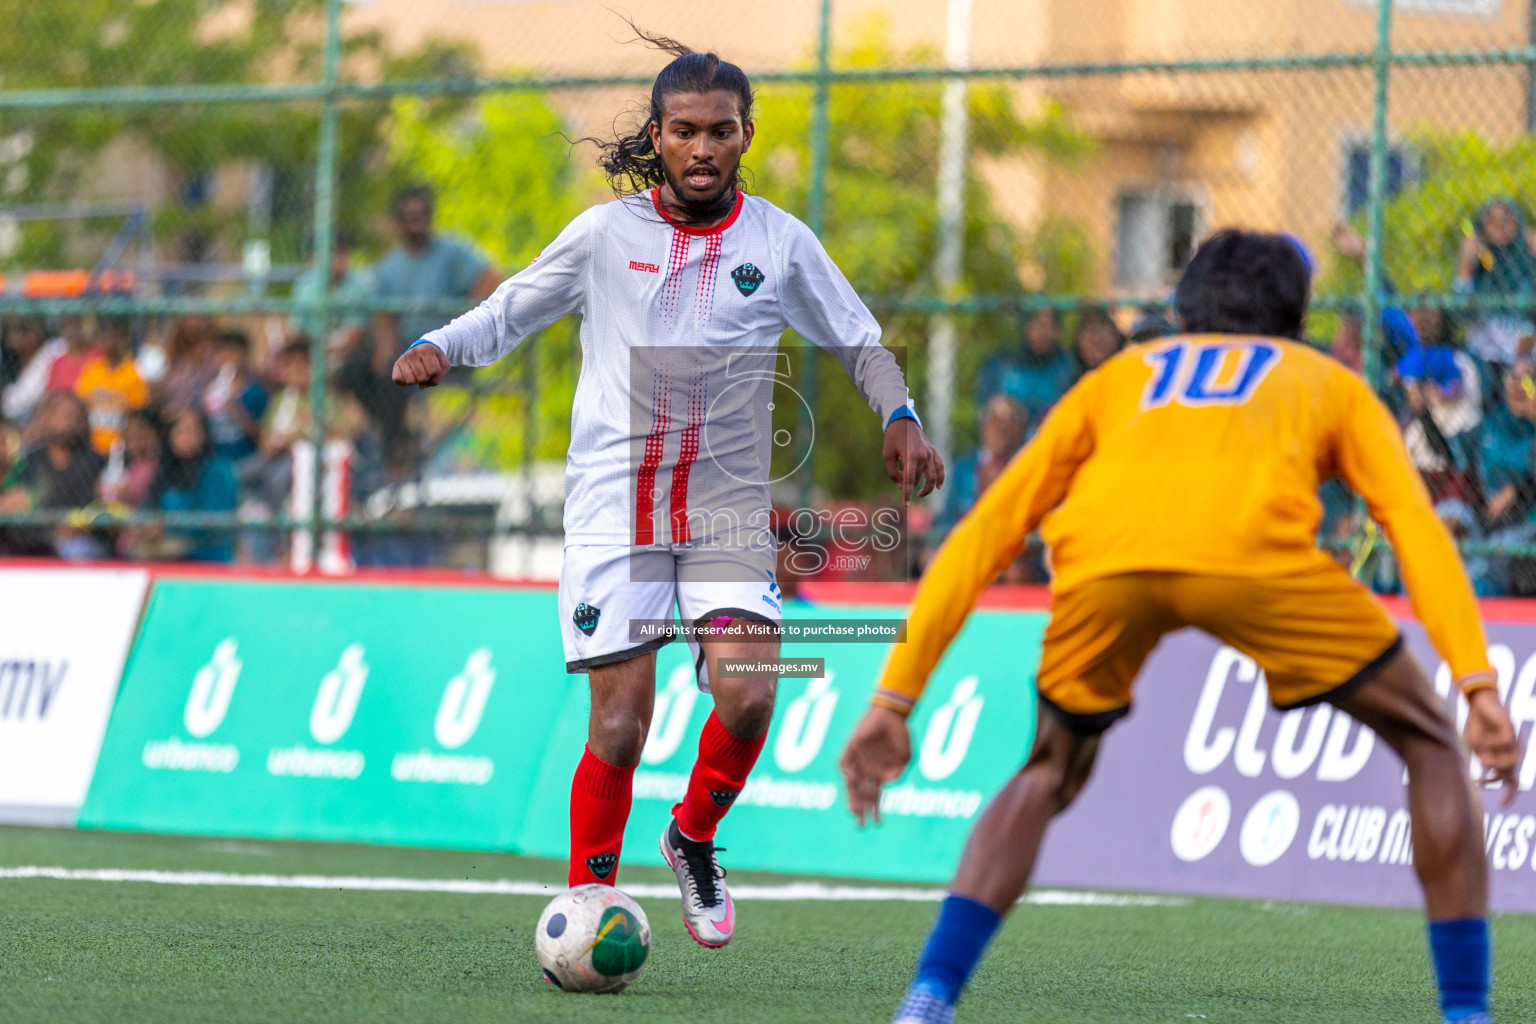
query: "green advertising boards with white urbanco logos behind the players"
445, 718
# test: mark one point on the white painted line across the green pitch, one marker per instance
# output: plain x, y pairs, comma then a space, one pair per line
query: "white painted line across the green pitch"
506, 888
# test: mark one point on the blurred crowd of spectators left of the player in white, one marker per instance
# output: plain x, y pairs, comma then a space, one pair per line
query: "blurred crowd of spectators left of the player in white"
194, 415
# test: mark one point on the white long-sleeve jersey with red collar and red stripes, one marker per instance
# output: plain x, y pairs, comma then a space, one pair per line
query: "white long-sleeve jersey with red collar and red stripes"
672, 426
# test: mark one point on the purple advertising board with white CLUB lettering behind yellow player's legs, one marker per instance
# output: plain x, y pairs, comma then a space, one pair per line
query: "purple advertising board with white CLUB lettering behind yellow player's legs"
1205, 790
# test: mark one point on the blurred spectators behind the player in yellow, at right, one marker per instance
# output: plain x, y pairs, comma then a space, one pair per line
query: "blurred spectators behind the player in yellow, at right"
1462, 385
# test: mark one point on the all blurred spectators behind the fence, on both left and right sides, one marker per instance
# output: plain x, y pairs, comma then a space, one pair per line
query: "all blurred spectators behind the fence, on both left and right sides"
193, 415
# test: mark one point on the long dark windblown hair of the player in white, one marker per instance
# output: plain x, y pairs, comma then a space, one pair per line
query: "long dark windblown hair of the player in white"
631, 160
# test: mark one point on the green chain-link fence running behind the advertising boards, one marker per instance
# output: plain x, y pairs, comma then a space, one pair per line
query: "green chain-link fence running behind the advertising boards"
1011, 185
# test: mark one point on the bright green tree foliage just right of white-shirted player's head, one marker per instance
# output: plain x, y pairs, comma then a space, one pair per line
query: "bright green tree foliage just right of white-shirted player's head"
881, 225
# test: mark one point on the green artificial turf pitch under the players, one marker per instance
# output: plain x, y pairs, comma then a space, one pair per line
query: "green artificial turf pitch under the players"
125, 953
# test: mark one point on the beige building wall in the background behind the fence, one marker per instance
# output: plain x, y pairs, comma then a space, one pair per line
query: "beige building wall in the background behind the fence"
1266, 150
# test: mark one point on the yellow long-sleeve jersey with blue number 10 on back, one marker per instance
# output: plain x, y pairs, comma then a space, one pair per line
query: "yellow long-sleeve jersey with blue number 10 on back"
1196, 455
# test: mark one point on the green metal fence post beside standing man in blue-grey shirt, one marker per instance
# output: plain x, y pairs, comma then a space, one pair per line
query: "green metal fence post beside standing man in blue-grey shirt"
325, 242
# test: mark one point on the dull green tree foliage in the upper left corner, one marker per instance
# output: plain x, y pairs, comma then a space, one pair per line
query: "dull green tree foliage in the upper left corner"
56, 154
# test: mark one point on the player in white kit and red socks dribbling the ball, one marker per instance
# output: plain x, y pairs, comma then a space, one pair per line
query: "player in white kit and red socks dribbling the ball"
684, 286
